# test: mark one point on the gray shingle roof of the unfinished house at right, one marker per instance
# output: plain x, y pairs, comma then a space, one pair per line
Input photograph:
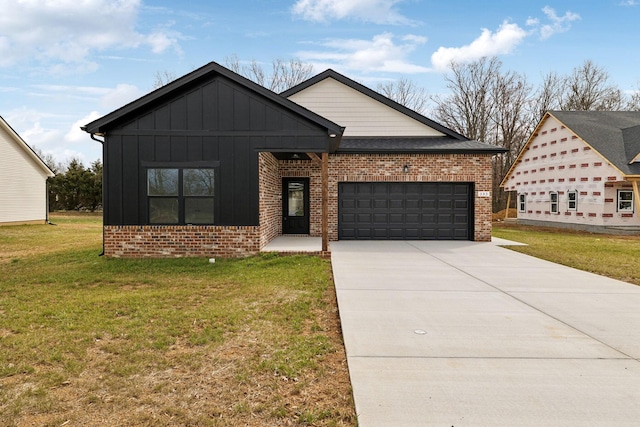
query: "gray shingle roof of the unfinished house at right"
614, 134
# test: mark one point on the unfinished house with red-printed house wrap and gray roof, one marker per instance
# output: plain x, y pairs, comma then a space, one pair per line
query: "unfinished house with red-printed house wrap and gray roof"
580, 169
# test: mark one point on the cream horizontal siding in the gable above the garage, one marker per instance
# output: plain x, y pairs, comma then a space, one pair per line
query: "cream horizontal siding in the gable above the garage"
360, 114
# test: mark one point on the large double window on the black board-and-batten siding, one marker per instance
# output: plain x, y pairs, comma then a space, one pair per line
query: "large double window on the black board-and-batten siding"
181, 196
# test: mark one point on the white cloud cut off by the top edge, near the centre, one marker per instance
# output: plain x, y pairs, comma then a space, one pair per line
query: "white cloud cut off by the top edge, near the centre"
375, 11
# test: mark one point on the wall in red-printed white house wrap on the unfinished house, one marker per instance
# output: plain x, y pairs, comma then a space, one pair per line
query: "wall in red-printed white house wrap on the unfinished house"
556, 160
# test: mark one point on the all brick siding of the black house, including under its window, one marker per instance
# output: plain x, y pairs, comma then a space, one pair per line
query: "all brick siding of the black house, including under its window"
136, 241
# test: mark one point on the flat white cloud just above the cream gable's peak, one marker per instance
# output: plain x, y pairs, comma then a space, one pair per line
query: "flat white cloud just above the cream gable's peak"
381, 54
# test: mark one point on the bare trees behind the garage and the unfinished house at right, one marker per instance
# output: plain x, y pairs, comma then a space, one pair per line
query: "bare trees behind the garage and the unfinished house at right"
489, 104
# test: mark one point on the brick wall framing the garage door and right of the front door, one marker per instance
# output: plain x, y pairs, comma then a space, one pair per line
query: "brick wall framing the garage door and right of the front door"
475, 168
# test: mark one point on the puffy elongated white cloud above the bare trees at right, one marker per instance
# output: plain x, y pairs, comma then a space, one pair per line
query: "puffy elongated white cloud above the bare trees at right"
503, 41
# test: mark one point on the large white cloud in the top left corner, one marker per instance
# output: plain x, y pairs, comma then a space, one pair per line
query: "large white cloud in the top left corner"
64, 33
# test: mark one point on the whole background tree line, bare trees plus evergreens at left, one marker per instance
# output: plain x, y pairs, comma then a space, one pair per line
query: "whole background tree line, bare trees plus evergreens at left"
485, 103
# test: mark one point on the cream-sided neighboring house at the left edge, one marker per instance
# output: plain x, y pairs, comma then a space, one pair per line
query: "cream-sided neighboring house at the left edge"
23, 180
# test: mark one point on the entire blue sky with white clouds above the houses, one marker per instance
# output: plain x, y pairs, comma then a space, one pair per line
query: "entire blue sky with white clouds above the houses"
65, 63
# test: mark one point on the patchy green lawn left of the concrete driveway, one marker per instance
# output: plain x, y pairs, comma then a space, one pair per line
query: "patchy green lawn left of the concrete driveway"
82, 334
